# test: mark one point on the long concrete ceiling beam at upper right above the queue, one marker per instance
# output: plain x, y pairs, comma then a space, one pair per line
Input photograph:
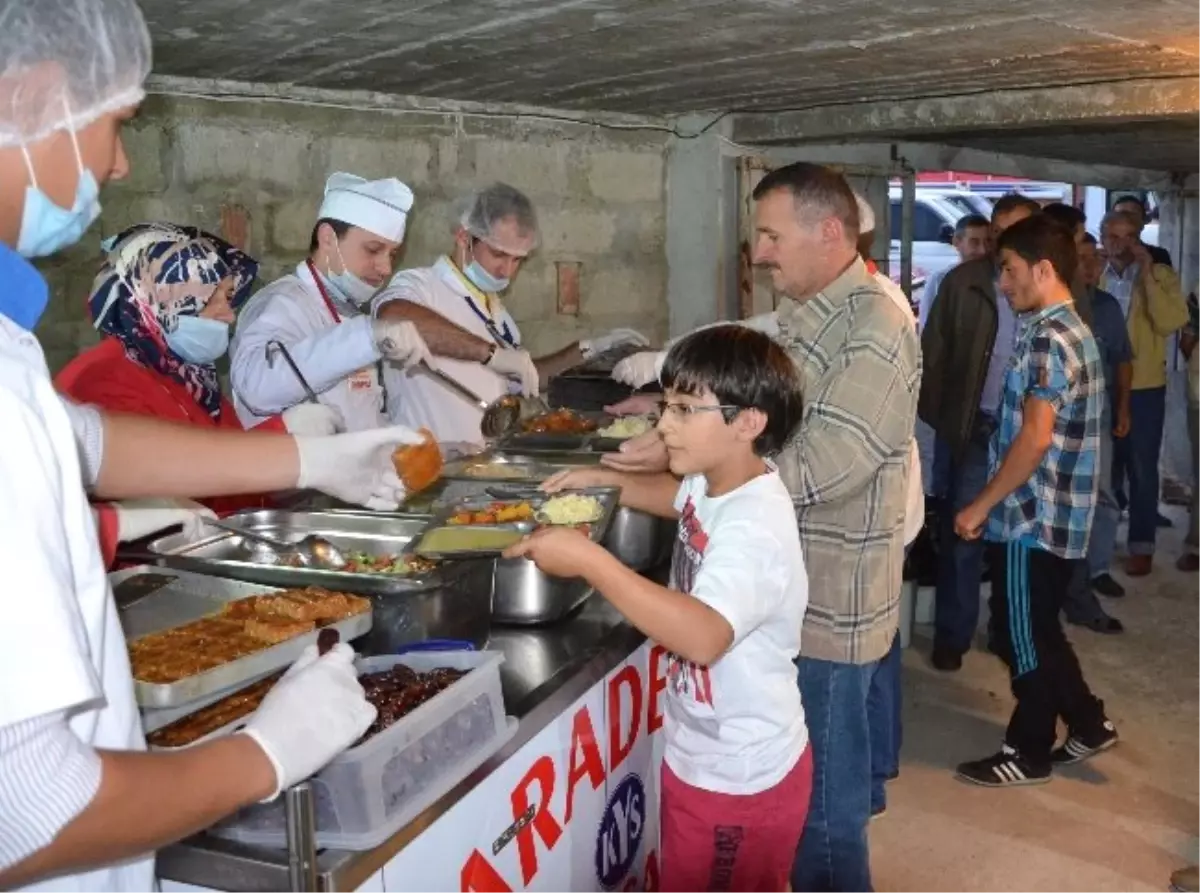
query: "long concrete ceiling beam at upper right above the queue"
1028, 110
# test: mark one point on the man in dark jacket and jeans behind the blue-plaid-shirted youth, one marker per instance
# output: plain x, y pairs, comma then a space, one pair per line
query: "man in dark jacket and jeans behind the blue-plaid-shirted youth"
967, 345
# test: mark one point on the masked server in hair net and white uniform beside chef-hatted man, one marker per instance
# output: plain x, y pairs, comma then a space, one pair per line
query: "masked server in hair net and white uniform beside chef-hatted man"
458, 310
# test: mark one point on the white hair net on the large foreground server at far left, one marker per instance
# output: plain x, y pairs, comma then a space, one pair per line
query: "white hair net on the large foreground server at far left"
67, 63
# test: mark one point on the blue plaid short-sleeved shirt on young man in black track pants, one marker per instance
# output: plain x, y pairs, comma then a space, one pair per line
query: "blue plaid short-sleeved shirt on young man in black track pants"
1057, 361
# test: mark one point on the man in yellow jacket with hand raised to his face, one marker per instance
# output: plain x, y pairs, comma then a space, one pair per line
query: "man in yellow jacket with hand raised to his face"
1155, 309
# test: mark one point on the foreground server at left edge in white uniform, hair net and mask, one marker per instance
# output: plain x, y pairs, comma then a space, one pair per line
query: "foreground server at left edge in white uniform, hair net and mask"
82, 806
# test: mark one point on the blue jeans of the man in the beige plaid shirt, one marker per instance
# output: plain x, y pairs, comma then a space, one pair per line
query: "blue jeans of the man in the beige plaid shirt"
833, 855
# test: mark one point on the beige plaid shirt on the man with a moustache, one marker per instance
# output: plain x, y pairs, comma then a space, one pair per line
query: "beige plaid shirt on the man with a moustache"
848, 464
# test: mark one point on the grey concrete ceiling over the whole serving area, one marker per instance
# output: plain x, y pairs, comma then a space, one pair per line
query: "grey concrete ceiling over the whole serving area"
671, 57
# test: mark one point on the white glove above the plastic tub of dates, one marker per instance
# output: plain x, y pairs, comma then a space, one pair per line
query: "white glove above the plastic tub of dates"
311, 715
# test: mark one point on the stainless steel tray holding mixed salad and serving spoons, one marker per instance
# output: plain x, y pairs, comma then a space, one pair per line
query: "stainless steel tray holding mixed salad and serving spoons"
221, 554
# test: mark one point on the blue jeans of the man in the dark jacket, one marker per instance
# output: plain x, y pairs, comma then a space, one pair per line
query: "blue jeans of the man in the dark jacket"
961, 564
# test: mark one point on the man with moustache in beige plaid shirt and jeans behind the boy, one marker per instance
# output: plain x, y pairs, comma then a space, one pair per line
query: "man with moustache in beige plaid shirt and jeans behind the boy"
848, 469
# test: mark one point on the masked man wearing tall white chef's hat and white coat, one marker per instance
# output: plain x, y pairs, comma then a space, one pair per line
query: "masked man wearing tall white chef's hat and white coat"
317, 314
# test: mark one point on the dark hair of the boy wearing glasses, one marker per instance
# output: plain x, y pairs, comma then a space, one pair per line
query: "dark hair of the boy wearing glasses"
741, 368
